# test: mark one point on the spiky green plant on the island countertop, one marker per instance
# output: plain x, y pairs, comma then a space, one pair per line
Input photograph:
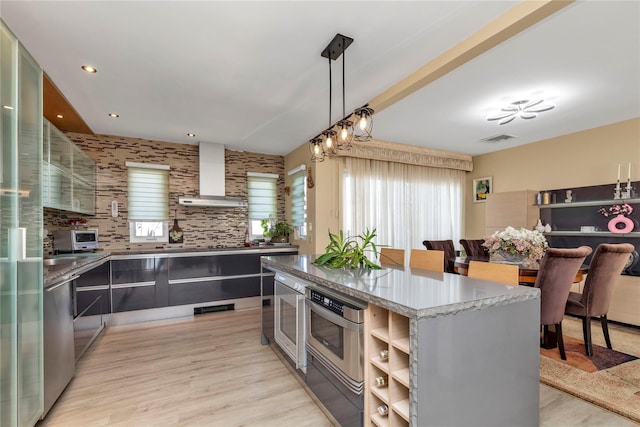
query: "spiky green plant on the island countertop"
350, 251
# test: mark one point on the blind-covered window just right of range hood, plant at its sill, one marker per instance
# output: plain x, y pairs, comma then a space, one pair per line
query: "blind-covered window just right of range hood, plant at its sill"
263, 200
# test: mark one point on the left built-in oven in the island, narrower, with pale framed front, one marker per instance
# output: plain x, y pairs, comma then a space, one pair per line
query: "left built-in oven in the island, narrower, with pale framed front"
289, 318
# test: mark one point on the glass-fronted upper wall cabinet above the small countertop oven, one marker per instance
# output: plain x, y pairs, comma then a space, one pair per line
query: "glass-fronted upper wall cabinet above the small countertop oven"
68, 174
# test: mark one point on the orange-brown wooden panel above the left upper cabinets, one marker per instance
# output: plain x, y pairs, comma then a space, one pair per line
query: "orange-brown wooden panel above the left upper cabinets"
54, 103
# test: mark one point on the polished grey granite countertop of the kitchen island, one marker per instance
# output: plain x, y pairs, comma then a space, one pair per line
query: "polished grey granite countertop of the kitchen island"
411, 292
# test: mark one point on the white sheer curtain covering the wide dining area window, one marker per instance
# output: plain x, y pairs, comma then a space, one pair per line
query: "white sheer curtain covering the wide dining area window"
405, 203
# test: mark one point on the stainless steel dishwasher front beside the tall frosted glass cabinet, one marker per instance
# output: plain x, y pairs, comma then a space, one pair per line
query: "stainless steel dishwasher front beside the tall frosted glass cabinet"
59, 352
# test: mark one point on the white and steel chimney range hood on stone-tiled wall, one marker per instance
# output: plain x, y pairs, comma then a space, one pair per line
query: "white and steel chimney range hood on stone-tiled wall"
212, 191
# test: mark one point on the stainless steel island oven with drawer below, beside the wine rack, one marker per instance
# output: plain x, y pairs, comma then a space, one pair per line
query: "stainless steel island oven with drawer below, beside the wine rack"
335, 352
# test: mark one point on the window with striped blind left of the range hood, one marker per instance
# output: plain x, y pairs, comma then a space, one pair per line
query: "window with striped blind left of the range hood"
148, 190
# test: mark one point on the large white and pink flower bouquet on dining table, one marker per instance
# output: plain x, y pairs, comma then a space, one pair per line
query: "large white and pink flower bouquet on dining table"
516, 245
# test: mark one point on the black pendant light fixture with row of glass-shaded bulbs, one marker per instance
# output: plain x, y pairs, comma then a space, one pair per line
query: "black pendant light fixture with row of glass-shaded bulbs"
355, 127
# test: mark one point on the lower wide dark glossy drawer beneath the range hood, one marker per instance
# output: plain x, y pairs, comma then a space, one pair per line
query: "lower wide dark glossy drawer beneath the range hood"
213, 290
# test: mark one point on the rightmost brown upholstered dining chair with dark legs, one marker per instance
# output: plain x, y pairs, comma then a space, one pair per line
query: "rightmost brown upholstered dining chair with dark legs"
605, 268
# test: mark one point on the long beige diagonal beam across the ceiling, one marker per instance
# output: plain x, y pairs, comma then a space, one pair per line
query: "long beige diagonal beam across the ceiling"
518, 19
